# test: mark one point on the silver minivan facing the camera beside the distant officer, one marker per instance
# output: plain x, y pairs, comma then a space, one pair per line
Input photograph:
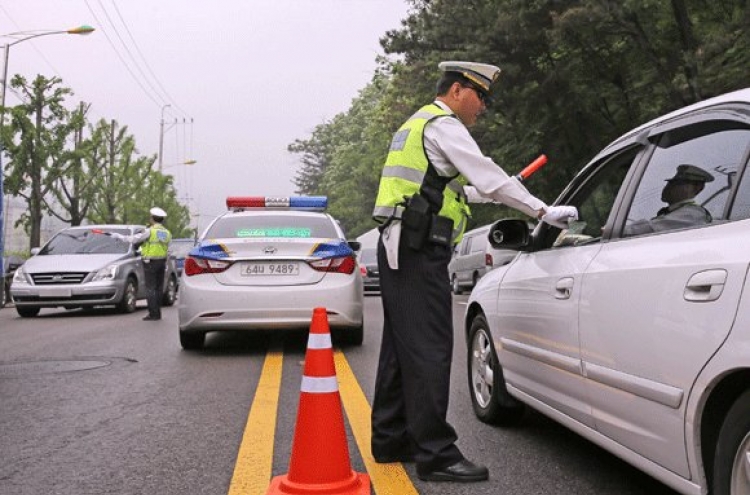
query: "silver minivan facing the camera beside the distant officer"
84, 267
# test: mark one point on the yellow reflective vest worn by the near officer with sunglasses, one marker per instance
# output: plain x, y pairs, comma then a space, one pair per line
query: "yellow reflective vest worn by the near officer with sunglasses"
405, 169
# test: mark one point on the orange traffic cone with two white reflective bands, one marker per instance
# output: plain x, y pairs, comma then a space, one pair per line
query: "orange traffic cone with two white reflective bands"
320, 454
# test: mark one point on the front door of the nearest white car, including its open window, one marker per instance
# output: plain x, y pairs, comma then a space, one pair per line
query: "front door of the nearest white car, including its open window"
539, 297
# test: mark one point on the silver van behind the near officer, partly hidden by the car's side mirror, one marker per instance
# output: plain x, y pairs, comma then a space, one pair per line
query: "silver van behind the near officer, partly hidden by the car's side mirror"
473, 257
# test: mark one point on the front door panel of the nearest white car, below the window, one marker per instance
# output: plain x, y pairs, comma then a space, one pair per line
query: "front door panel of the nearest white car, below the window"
538, 324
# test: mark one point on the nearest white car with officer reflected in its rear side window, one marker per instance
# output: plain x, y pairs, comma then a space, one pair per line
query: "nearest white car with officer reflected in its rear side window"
632, 326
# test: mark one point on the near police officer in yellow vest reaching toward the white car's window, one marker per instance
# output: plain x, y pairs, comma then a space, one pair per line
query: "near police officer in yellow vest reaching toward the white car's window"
422, 205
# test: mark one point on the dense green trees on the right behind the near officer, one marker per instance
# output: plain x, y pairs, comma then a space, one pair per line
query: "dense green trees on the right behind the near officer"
576, 74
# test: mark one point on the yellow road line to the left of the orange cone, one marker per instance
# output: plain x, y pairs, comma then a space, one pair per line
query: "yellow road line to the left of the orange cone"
252, 472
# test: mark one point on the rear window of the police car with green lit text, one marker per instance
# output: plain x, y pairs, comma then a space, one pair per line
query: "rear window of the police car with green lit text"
264, 226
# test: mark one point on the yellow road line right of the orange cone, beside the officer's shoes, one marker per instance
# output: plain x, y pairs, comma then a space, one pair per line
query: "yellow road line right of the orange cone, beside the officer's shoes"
387, 479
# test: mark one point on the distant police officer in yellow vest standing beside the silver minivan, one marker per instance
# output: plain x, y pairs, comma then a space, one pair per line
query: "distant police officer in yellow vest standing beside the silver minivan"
154, 242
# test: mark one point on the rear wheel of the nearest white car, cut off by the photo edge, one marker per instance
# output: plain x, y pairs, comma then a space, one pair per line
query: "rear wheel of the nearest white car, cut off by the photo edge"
731, 449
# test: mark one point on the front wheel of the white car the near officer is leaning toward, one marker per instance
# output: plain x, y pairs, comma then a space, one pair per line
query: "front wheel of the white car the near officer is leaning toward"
500, 408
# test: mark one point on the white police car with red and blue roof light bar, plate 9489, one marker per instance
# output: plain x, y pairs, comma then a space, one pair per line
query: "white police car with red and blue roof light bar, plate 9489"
266, 264
